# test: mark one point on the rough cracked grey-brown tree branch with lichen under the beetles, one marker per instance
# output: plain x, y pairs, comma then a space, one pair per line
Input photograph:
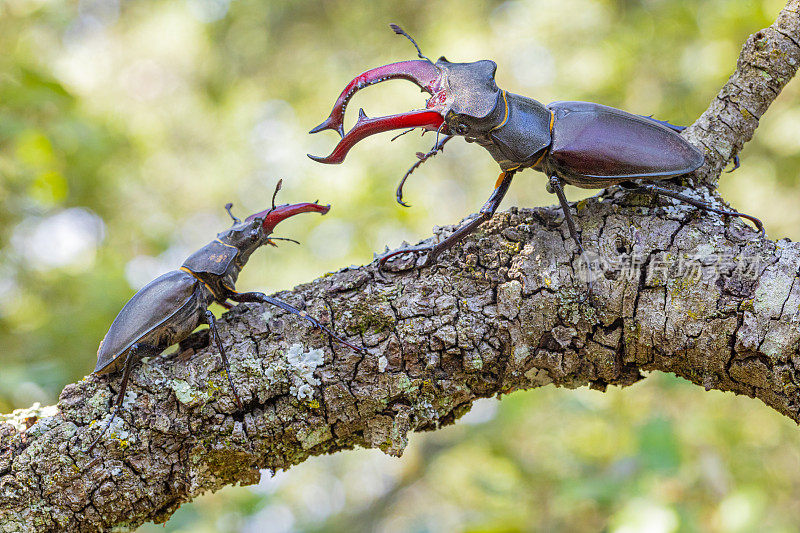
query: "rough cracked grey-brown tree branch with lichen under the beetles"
687, 292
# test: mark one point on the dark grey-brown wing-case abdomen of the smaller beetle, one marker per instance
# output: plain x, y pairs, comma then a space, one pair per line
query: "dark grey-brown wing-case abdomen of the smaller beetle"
146, 318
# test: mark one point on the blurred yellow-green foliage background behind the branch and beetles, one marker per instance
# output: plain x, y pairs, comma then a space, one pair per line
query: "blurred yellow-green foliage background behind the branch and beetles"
125, 126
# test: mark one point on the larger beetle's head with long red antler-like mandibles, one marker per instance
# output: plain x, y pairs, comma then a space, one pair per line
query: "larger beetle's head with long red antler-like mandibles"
464, 101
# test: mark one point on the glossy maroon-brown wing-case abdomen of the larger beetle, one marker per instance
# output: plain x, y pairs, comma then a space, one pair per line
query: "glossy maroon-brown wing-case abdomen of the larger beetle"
596, 145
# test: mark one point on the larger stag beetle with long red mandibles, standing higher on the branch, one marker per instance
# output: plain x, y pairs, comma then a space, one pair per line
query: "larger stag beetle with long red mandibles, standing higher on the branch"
579, 143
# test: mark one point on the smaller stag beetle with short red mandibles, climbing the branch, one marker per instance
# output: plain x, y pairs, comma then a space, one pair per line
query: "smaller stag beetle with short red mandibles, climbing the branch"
166, 310
